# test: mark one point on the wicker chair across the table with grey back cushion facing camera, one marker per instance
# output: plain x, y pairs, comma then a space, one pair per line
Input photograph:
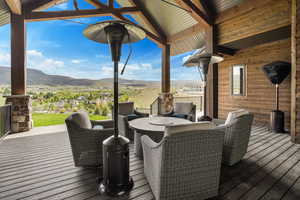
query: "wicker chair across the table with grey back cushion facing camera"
185, 110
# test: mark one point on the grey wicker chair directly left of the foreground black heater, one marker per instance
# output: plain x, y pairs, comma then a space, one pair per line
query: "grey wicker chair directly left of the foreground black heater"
86, 138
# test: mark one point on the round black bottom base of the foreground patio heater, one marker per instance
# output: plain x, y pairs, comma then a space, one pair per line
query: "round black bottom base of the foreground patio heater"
115, 190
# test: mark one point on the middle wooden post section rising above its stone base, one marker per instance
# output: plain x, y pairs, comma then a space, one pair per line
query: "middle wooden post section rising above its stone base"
165, 75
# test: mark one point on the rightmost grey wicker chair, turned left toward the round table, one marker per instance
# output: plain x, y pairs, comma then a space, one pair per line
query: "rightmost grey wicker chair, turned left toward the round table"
237, 134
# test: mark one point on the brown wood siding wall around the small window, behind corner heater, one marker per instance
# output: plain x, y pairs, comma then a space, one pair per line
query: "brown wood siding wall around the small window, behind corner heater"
260, 98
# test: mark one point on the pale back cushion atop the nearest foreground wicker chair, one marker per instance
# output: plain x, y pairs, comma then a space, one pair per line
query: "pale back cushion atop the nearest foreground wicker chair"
174, 129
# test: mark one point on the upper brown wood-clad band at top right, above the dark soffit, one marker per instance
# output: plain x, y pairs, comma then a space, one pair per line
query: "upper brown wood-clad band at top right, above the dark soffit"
255, 18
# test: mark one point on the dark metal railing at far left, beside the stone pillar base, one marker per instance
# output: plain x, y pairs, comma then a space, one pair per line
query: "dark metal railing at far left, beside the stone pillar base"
5, 120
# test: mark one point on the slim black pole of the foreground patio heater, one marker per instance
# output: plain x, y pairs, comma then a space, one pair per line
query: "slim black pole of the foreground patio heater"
116, 98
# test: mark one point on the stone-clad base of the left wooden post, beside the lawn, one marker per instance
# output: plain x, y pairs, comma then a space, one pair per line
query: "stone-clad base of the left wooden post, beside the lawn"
21, 112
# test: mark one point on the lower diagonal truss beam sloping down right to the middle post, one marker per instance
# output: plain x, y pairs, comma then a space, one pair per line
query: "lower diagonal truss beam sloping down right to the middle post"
119, 16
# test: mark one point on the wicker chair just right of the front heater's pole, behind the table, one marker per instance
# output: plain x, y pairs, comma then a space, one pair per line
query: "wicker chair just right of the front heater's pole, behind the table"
128, 113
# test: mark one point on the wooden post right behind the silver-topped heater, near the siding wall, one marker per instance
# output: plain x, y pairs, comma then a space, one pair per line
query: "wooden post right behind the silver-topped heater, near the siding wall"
212, 77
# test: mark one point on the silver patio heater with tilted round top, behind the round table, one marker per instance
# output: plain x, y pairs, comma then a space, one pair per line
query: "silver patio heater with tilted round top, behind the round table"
202, 60
